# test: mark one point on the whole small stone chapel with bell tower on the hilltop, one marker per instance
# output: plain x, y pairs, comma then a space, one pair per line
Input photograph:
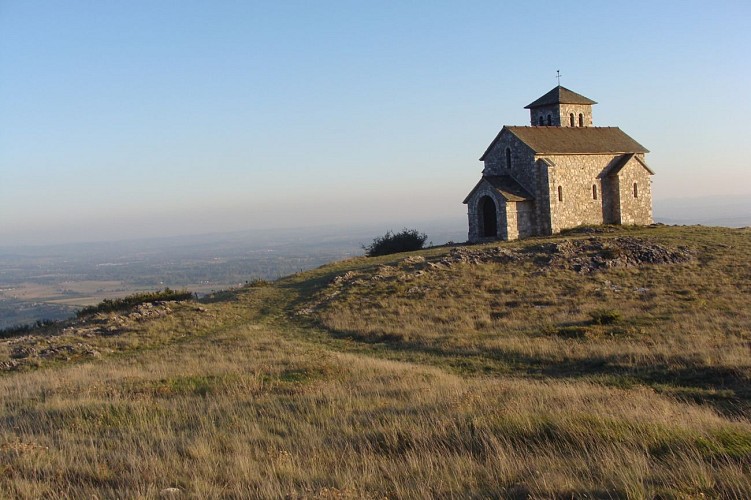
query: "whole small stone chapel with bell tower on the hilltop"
558, 173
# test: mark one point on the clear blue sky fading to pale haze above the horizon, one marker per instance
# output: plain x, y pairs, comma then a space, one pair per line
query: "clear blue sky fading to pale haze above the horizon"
146, 118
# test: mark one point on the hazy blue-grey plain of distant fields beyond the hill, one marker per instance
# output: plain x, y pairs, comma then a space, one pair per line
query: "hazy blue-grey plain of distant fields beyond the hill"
52, 282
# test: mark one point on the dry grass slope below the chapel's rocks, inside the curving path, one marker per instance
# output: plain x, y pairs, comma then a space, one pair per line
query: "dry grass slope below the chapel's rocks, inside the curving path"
681, 328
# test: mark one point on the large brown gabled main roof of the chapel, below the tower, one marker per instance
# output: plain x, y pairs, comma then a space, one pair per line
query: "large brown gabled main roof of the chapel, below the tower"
573, 140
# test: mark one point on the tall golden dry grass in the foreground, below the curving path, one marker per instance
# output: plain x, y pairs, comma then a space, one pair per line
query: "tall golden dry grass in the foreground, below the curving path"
252, 414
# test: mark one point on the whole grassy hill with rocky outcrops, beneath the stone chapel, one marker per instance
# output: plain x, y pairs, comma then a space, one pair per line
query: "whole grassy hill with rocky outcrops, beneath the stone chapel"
602, 363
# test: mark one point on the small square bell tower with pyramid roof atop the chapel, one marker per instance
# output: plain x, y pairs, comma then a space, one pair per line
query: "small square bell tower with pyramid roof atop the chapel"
561, 108
